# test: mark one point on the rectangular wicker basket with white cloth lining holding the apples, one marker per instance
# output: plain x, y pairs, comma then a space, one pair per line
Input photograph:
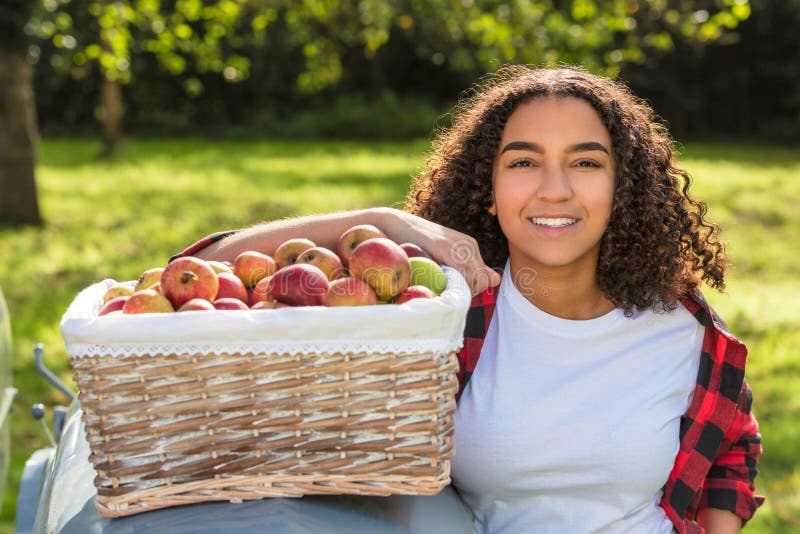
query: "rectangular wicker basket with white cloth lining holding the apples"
269, 403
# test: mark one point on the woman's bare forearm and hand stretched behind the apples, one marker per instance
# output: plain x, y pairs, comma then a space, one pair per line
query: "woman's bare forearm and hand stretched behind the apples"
445, 245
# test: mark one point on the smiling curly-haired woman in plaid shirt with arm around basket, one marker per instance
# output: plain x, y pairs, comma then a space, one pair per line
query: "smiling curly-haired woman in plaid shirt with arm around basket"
599, 392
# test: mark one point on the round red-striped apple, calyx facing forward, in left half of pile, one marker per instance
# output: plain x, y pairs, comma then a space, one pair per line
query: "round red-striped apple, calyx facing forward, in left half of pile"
189, 278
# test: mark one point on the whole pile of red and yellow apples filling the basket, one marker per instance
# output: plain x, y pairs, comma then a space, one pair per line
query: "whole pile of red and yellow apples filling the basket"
368, 268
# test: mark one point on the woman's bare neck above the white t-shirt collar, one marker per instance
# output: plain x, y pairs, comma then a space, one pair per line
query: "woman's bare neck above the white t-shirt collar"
566, 293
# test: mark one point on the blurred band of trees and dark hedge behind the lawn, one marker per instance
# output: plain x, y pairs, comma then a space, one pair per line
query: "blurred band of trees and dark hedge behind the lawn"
709, 67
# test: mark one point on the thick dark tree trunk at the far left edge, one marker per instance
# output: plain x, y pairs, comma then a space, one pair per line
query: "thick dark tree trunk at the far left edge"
18, 138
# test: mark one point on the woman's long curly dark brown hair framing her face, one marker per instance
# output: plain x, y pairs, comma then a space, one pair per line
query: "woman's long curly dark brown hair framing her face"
658, 244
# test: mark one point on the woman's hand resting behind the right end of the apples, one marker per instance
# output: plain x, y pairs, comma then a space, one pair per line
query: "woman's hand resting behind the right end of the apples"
445, 245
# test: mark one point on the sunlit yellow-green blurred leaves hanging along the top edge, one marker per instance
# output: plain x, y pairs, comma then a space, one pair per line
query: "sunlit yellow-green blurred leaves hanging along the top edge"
471, 35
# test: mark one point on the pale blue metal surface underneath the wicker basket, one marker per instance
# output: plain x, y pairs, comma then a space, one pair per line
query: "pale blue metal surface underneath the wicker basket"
67, 507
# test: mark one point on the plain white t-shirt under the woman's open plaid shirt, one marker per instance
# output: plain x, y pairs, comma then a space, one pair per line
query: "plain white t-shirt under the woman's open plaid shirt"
573, 426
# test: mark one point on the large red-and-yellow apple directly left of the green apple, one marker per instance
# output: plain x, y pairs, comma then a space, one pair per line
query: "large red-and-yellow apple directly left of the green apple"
382, 264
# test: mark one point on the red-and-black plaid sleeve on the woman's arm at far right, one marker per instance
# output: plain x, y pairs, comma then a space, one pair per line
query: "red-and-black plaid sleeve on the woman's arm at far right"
729, 484
